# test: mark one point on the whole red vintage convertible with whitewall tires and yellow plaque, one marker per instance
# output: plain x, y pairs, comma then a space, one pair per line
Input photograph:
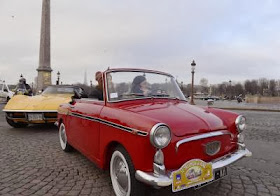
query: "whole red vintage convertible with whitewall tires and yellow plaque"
146, 133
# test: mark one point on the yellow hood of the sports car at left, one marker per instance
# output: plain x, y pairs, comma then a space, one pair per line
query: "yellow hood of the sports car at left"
38, 102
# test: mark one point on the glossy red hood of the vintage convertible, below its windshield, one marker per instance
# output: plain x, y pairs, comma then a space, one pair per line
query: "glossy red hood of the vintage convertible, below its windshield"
182, 118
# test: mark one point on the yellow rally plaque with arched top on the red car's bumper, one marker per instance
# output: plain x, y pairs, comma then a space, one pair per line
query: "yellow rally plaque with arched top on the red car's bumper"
192, 173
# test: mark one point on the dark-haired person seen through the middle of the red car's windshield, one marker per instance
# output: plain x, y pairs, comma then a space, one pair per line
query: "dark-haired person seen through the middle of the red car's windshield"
140, 86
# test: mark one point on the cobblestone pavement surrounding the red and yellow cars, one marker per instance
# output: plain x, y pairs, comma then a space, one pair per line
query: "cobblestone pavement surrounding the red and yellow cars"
31, 162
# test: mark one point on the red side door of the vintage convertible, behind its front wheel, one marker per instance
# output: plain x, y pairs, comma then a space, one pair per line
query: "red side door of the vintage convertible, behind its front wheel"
85, 124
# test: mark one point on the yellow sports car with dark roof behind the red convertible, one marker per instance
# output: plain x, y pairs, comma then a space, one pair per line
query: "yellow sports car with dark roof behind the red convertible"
22, 110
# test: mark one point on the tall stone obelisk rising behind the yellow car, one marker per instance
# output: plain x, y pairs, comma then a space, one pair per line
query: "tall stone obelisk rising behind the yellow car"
44, 69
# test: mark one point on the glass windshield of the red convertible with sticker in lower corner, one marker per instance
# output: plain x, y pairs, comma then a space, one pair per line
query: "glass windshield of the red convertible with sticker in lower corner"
125, 85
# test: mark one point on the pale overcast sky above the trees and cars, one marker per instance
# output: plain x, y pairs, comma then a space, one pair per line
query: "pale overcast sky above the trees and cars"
229, 39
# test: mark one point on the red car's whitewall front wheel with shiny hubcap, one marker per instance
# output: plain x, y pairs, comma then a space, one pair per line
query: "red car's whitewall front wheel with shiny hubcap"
122, 174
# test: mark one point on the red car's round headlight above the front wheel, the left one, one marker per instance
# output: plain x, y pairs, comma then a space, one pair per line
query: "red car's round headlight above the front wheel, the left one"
160, 135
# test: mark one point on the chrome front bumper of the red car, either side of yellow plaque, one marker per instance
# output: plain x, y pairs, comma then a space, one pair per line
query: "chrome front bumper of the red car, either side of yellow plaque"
165, 180
